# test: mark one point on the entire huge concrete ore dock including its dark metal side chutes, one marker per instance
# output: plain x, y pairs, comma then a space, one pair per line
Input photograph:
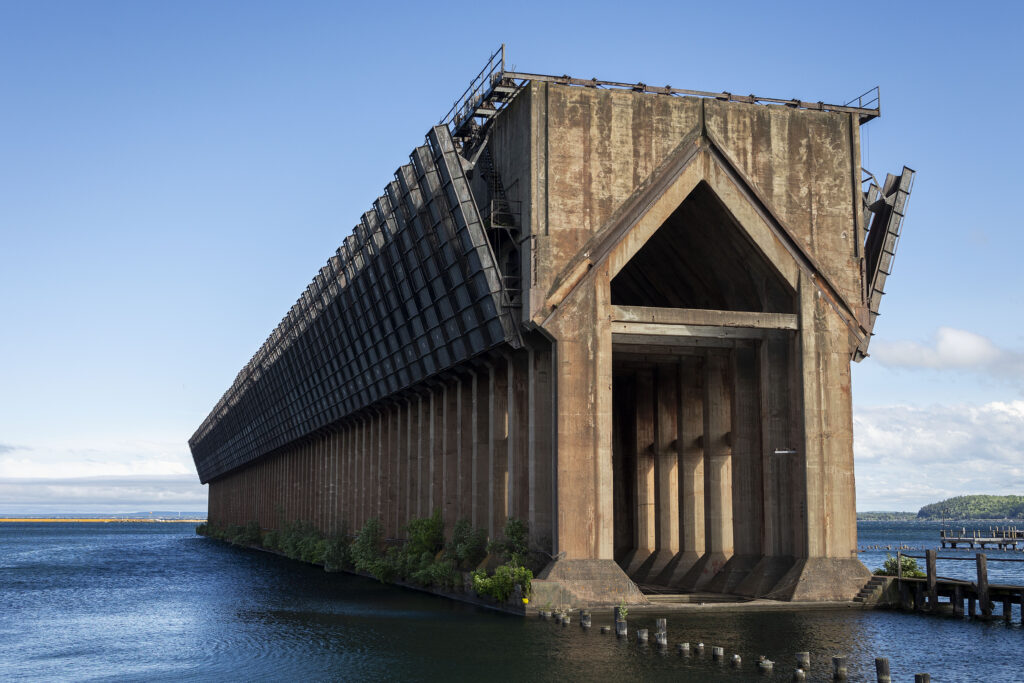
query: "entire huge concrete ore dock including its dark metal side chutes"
623, 314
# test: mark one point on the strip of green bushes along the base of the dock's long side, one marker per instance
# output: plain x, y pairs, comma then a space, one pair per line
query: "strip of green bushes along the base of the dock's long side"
424, 559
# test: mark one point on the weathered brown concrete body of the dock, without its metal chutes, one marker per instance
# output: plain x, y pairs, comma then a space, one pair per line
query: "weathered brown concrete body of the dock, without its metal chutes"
681, 412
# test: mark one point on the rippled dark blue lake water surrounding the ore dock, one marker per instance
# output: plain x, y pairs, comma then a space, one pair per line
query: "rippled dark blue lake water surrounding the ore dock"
156, 603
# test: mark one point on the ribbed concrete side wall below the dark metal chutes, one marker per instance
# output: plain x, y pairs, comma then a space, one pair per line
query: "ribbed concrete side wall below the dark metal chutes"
476, 447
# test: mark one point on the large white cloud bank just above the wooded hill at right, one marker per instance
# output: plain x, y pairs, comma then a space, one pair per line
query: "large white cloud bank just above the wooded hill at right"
910, 457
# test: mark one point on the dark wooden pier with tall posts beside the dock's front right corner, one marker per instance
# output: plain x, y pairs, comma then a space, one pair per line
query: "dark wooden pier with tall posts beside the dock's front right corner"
934, 593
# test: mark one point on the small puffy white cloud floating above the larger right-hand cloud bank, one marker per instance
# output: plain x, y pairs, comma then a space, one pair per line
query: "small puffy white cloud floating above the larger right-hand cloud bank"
951, 350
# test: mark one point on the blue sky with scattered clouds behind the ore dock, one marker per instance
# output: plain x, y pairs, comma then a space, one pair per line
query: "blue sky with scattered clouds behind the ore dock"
174, 175
